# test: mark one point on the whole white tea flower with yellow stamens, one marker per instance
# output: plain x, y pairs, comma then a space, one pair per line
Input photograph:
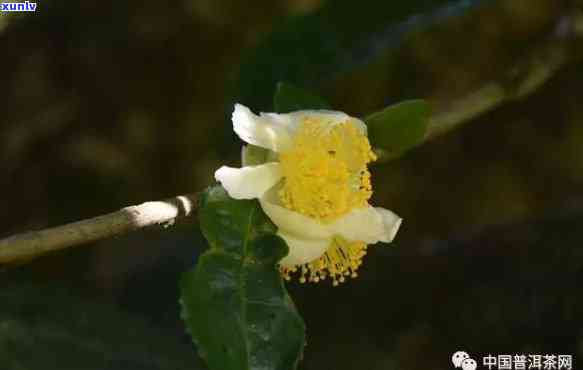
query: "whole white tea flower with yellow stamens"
315, 187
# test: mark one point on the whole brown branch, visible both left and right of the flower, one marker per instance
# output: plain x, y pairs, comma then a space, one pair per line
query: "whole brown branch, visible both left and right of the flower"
535, 69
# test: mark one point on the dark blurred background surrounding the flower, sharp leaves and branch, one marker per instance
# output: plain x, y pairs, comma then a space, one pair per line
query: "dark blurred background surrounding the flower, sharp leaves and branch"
112, 103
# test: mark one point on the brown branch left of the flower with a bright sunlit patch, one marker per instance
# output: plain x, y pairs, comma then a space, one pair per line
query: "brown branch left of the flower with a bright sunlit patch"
22, 247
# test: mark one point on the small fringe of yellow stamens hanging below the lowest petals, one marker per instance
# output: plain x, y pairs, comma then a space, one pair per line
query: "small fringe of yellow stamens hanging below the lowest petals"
341, 260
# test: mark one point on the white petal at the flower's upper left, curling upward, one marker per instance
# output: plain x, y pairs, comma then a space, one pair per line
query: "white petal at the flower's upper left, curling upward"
263, 131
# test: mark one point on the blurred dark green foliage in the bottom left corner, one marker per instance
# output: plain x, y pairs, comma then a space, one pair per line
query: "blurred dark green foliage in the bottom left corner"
46, 326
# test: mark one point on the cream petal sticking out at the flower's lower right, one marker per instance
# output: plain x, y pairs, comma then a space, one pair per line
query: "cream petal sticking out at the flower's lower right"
367, 224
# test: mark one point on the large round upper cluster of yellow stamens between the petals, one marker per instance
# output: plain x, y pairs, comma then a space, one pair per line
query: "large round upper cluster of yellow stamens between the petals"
325, 172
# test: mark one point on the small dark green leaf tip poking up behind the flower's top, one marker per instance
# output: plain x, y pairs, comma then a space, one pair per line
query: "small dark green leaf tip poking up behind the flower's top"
289, 98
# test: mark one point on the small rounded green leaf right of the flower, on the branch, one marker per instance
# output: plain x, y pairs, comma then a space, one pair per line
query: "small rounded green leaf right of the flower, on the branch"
398, 127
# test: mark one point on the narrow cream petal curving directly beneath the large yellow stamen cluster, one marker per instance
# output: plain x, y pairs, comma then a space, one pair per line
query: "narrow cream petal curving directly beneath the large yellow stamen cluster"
292, 222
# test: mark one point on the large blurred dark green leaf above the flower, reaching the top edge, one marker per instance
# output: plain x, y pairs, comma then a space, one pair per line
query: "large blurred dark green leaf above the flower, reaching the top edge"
311, 50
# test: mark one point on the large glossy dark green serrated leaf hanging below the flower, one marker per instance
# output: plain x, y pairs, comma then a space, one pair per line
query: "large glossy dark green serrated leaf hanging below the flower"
234, 302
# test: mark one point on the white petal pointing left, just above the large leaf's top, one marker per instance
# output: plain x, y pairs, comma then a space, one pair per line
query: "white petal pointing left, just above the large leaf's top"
249, 182
